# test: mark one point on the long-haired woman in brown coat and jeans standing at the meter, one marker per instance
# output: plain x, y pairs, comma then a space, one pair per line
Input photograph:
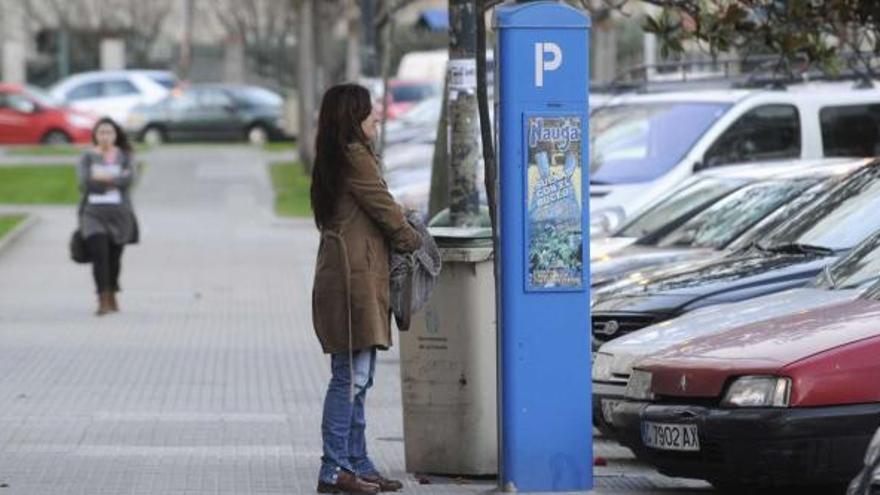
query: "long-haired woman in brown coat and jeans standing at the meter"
360, 223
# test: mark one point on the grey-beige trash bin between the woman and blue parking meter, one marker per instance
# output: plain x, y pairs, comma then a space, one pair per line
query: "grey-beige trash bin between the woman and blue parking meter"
448, 362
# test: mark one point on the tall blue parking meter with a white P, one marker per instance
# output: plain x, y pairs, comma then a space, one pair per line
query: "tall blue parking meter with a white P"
545, 425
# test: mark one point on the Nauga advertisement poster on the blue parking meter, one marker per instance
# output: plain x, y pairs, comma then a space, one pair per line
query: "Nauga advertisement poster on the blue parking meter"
554, 229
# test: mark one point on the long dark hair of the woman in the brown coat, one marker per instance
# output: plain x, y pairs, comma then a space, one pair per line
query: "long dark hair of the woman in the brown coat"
343, 108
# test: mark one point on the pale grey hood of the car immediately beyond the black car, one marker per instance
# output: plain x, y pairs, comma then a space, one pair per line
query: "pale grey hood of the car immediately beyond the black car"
632, 258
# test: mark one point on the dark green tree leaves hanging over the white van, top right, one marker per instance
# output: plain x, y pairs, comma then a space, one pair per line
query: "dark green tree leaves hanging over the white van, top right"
825, 35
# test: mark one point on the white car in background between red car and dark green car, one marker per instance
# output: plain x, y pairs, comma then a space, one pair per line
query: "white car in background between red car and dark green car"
114, 93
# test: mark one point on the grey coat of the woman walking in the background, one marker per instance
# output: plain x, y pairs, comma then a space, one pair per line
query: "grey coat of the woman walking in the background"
118, 221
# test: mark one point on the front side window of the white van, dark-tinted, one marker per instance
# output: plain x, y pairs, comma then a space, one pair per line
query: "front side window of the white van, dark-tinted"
770, 132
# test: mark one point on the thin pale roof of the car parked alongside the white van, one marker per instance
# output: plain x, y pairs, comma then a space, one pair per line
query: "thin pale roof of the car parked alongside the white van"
787, 169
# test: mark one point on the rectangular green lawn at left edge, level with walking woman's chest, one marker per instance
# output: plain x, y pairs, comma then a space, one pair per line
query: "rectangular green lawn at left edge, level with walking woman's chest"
43, 184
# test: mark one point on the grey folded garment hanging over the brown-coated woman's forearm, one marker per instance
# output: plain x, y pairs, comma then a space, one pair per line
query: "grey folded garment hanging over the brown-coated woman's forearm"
413, 275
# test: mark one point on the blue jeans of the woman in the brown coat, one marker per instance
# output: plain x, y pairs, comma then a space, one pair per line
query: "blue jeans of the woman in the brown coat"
344, 423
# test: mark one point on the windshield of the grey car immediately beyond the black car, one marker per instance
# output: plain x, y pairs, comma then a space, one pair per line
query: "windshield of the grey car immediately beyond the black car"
725, 220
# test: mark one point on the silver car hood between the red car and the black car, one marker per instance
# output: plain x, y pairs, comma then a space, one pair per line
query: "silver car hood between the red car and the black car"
716, 319
